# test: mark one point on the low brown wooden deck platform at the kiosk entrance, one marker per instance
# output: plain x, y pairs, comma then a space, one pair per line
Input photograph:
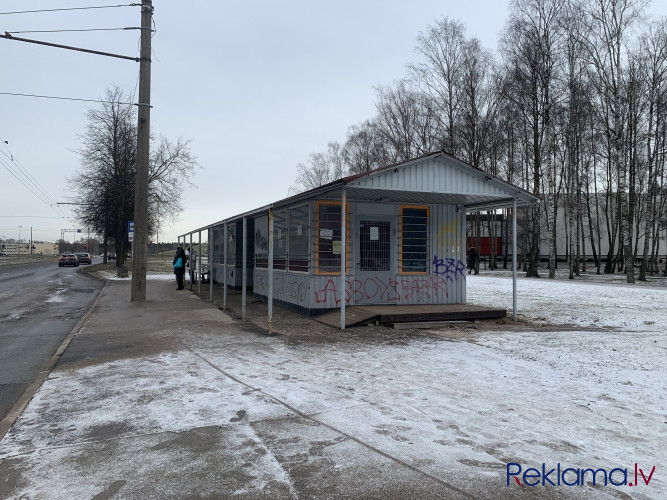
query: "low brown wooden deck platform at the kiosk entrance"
386, 314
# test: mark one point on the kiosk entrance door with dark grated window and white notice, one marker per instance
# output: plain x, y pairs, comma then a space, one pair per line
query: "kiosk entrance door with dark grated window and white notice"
374, 277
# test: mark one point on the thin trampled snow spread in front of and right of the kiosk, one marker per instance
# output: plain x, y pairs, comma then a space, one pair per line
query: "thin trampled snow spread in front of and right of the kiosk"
456, 406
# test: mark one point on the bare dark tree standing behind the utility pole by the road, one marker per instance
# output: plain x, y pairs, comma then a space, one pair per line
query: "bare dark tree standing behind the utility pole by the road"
105, 184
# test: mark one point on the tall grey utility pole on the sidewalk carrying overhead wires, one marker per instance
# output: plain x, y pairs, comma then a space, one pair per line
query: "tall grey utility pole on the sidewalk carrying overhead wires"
139, 256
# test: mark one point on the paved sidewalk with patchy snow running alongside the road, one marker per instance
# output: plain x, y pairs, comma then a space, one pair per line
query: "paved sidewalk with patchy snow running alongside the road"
129, 412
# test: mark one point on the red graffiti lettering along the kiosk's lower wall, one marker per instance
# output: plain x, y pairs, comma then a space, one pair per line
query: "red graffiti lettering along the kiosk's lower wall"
385, 290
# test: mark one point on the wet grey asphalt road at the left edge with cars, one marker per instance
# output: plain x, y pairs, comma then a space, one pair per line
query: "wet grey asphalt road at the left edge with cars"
40, 303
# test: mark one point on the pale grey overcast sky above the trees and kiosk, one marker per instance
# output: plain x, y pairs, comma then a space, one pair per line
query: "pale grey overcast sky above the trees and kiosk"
256, 85
